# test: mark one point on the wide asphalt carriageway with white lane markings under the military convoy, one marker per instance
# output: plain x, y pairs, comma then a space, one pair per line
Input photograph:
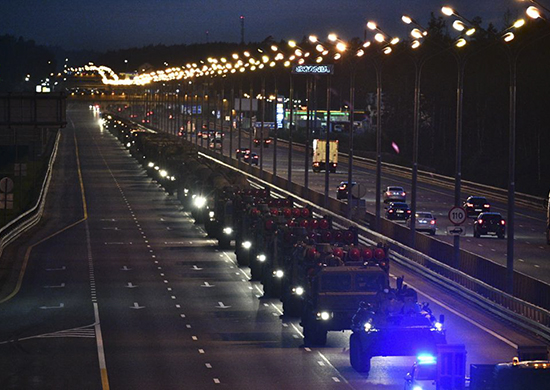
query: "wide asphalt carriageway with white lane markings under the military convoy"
120, 289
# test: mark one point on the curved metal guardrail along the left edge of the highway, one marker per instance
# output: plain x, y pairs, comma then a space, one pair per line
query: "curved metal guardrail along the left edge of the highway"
31, 217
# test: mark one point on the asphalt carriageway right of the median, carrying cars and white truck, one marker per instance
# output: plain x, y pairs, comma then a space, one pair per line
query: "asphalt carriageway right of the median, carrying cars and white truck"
531, 253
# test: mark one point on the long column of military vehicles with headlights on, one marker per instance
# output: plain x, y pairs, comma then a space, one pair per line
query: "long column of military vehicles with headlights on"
320, 273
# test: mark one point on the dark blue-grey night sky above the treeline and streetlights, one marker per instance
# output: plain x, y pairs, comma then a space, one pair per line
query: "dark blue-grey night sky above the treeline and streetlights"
119, 24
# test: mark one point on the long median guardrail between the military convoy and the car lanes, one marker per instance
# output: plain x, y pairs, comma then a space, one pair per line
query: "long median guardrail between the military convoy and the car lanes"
519, 312
